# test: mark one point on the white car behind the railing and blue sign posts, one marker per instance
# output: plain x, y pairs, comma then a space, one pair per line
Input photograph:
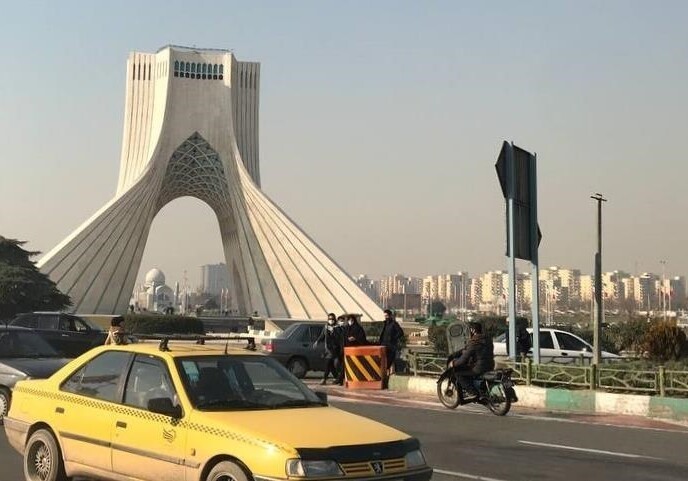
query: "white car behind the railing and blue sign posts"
556, 346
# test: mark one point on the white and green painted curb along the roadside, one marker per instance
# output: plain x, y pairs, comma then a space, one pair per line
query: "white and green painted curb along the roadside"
564, 400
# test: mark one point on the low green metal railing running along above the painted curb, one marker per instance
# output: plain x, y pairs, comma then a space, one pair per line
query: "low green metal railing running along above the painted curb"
659, 381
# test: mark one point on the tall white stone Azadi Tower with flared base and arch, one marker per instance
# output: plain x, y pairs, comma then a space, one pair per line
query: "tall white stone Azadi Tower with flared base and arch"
191, 129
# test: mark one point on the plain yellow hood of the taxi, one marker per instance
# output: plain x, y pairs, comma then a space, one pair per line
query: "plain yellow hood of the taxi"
306, 428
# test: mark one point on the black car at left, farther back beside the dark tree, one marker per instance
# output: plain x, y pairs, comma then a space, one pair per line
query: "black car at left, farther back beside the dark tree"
70, 335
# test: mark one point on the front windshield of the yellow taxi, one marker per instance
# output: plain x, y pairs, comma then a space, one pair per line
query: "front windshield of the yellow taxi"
230, 383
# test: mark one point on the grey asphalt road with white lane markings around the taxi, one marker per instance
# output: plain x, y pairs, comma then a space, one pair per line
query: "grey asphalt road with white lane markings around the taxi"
523, 446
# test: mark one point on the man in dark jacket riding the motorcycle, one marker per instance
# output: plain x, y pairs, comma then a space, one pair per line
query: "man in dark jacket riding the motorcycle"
476, 358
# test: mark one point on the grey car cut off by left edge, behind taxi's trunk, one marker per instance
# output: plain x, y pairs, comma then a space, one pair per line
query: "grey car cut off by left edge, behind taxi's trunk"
23, 355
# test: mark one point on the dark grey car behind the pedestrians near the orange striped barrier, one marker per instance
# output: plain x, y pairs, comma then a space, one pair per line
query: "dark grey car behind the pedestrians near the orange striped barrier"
294, 348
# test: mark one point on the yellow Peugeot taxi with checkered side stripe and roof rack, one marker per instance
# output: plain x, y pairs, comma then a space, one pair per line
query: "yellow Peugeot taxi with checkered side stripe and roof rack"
196, 412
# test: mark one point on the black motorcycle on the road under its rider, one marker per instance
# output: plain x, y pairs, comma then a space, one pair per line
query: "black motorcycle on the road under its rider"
495, 390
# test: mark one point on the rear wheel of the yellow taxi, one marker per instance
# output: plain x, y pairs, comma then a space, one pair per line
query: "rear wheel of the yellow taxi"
42, 458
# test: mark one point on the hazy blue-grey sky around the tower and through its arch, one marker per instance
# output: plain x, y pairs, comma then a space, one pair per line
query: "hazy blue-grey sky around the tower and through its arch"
380, 125
